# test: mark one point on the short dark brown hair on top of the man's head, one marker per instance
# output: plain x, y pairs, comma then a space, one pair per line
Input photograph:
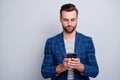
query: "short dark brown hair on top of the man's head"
68, 7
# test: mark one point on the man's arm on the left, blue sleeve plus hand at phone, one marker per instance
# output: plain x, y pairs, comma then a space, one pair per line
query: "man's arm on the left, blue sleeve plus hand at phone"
49, 69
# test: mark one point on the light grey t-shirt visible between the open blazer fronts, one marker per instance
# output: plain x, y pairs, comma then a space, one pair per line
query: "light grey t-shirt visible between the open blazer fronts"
69, 45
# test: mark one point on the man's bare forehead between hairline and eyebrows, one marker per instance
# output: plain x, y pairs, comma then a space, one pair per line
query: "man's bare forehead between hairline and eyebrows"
69, 14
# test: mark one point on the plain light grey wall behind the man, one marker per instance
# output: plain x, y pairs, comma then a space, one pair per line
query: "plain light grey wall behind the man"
26, 24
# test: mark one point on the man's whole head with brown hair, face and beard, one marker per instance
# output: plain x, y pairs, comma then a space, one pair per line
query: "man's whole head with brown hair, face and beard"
68, 17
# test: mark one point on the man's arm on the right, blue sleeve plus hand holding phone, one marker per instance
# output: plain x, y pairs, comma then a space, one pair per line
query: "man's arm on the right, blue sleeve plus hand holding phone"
90, 68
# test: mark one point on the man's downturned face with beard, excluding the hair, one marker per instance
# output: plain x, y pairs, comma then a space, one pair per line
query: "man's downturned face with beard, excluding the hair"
69, 21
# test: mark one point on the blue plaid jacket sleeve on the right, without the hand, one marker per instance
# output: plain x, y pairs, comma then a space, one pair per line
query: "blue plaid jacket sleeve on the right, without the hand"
91, 67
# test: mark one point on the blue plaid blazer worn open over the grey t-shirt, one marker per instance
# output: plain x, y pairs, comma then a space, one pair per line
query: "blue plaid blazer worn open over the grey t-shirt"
55, 52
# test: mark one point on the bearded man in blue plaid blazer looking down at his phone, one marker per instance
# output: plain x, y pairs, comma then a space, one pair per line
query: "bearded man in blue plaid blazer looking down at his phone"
56, 65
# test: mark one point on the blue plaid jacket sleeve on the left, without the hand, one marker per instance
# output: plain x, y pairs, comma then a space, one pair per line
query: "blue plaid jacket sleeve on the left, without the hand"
48, 68
